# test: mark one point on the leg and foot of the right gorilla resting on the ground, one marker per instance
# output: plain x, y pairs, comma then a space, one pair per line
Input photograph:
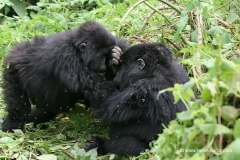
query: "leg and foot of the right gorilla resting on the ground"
123, 146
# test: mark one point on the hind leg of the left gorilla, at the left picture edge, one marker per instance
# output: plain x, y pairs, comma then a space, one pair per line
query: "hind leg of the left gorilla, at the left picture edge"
17, 102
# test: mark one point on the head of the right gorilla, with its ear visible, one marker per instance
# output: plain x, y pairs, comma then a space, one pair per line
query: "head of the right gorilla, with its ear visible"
141, 61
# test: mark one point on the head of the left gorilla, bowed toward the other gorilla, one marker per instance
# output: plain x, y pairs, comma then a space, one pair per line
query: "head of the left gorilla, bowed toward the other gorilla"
95, 45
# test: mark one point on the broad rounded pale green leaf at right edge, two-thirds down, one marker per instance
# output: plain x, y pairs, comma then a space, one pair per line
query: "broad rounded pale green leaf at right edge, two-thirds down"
229, 113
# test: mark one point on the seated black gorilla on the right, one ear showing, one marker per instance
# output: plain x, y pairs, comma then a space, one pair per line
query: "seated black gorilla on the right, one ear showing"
134, 112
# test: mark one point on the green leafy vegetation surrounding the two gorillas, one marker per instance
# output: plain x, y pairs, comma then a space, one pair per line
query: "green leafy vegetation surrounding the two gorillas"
203, 35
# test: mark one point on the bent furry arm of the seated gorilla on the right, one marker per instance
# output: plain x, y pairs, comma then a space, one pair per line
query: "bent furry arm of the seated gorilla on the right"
122, 106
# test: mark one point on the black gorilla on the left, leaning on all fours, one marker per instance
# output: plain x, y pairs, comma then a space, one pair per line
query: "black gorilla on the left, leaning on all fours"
52, 72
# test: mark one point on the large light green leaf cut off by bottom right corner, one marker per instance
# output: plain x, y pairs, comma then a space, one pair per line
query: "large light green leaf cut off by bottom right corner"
233, 151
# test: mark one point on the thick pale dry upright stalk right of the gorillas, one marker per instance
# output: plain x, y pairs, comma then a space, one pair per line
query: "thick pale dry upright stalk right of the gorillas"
200, 40
